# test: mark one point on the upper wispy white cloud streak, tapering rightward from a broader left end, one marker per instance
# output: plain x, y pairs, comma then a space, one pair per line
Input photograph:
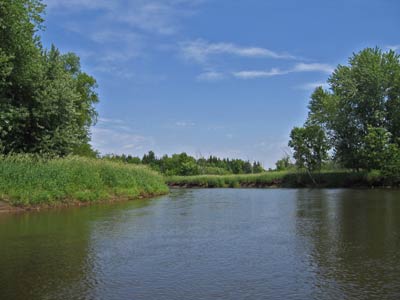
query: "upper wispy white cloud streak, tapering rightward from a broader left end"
200, 50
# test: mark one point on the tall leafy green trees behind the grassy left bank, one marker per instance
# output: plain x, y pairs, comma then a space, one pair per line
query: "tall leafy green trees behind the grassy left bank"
46, 100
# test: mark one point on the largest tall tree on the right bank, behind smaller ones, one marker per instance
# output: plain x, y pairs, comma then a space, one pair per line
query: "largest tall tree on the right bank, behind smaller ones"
362, 95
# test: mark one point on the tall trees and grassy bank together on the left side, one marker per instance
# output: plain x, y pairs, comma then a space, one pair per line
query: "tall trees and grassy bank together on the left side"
46, 110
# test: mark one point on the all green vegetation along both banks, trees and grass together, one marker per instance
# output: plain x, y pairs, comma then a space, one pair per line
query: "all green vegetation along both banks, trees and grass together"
47, 107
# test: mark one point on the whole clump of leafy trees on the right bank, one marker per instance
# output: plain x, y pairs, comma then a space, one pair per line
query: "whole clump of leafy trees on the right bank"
356, 122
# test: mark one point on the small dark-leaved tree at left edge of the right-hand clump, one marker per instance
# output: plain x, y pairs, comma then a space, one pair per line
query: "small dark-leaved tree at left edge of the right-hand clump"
310, 147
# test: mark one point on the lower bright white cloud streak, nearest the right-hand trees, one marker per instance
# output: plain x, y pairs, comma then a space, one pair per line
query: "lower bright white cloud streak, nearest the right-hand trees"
298, 68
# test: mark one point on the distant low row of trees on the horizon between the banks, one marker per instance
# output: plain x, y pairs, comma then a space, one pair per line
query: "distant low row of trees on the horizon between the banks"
184, 165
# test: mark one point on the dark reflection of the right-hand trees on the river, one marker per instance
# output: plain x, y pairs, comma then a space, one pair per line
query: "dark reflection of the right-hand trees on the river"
354, 241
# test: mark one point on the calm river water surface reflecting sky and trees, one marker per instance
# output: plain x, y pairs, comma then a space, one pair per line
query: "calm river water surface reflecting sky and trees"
209, 244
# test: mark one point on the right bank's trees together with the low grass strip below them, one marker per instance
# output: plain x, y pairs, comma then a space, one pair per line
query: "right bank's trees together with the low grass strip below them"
355, 125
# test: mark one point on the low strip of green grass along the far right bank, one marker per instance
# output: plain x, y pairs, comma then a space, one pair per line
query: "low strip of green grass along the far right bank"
279, 179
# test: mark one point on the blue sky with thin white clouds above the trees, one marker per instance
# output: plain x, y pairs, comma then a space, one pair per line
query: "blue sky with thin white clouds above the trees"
223, 77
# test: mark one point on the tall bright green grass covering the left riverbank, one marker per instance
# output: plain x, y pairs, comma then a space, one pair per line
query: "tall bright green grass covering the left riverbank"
28, 180
